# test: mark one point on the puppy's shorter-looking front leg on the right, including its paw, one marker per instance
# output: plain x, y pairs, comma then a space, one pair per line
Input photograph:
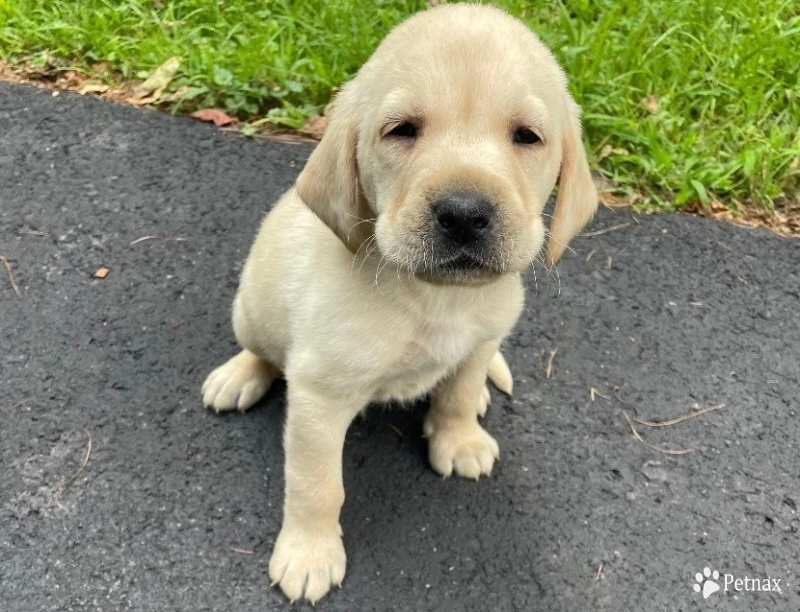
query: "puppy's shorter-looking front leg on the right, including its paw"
456, 442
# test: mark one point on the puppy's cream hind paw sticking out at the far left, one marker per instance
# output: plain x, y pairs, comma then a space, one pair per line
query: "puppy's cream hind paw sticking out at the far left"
238, 383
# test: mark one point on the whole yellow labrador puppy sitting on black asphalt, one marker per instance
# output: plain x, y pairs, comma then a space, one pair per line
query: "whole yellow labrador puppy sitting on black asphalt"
392, 269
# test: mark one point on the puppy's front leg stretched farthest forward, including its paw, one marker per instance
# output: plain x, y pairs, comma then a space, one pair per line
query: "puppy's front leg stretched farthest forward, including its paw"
309, 556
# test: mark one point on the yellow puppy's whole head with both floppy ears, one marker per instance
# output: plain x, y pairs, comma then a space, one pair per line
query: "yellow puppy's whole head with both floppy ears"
446, 146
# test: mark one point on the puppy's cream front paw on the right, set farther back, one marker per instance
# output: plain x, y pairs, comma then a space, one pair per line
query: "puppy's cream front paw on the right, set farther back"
460, 445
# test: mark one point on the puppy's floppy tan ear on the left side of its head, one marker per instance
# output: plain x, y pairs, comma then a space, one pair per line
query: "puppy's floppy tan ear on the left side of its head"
329, 182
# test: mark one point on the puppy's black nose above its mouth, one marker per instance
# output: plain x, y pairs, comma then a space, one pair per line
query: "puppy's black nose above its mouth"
463, 217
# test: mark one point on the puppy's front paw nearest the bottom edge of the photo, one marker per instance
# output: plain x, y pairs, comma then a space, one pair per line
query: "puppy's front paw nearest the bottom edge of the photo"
306, 563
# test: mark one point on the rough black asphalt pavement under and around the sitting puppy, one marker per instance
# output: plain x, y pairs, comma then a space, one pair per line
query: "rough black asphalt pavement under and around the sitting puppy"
177, 508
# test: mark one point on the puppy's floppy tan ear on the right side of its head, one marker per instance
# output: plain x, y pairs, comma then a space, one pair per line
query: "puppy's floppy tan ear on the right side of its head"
577, 196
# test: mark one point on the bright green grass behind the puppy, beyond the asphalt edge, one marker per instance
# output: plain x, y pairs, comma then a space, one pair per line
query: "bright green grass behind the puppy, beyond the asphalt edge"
685, 102
